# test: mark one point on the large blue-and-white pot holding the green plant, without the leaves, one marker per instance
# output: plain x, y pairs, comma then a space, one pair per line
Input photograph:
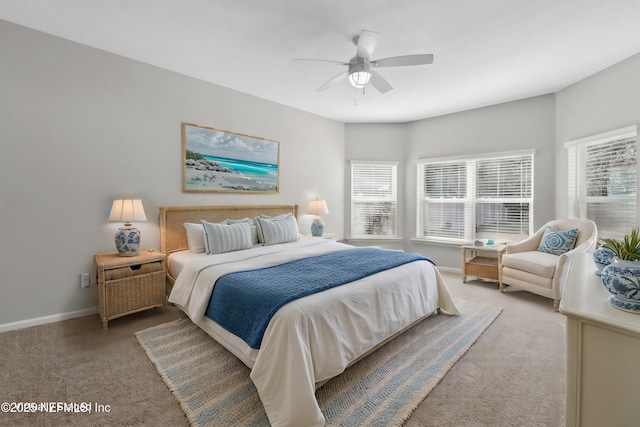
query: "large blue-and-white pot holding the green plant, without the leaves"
622, 280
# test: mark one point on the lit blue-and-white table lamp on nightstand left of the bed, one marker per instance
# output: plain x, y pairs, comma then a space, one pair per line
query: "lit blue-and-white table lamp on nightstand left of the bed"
127, 236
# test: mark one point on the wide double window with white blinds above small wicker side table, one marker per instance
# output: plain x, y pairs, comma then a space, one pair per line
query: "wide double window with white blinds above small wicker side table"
480, 197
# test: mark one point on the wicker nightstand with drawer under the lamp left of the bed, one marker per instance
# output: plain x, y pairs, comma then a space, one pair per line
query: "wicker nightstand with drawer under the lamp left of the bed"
129, 284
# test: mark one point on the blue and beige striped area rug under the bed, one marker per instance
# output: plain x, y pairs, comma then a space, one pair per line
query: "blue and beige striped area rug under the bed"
383, 389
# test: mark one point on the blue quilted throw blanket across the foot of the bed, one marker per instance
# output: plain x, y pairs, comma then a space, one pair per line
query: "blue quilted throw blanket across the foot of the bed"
244, 302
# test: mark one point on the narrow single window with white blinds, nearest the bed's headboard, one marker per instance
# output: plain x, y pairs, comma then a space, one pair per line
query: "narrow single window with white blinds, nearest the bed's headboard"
374, 199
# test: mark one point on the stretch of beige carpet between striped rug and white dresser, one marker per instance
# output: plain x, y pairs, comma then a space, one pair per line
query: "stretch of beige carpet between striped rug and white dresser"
514, 375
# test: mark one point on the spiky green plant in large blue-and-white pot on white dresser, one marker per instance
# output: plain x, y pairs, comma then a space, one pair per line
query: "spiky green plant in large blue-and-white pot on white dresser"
622, 278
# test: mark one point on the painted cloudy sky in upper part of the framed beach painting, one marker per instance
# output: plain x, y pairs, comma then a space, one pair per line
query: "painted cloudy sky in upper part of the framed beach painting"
218, 143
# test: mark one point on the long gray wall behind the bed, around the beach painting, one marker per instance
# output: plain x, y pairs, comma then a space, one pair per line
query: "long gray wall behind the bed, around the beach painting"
80, 127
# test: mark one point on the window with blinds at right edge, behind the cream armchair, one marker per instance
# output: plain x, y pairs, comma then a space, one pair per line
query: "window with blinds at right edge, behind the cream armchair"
602, 176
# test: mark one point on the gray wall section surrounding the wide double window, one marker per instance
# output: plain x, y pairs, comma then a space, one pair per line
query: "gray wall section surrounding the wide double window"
519, 125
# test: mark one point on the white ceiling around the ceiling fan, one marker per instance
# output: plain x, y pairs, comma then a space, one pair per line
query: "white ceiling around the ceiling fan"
486, 52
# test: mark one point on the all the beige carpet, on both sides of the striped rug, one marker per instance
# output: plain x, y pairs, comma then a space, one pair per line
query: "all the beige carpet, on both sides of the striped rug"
512, 376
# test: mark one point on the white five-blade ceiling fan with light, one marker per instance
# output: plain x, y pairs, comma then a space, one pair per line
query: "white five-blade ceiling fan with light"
359, 71
